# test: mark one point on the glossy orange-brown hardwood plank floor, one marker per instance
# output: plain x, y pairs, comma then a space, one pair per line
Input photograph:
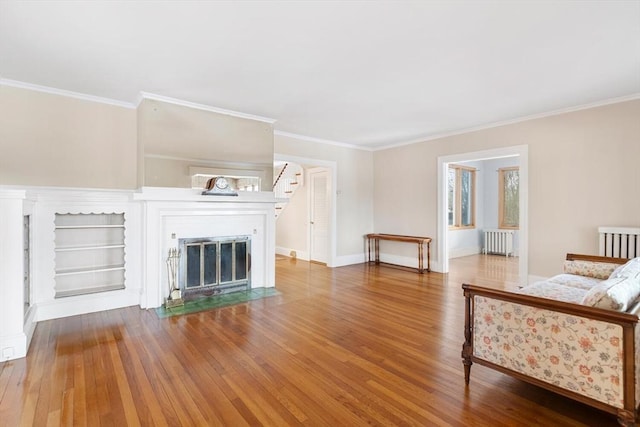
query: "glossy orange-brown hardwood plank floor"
356, 345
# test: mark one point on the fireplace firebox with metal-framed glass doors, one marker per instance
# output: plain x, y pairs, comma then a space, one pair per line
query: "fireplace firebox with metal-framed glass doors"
214, 265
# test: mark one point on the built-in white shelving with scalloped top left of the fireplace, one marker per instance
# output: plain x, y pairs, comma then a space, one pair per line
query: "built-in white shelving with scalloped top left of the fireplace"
90, 253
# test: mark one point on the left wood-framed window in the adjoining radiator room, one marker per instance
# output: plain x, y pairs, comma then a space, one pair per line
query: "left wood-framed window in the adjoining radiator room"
461, 197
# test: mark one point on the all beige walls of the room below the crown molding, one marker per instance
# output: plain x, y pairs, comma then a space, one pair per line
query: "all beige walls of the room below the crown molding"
583, 166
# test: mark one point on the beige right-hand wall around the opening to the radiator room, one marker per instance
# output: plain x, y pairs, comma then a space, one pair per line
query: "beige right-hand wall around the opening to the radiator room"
583, 172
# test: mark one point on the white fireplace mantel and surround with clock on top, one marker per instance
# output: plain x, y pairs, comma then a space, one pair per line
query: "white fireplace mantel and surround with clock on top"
170, 214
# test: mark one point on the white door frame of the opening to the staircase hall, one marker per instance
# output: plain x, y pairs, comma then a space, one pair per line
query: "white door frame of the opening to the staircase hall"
331, 167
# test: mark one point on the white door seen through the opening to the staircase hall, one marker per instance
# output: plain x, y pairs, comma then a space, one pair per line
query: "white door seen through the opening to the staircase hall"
319, 214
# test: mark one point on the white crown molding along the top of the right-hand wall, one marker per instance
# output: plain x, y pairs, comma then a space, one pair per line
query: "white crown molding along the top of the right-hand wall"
602, 103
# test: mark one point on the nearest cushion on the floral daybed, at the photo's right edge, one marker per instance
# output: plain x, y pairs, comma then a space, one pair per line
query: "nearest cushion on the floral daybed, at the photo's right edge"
614, 294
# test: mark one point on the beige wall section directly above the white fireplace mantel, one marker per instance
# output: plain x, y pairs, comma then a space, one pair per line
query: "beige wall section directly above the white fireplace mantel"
174, 137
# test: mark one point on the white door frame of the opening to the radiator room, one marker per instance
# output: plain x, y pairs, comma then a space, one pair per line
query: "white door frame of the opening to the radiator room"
522, 151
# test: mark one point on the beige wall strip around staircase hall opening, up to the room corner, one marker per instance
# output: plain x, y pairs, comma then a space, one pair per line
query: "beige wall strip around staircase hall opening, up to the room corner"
353, 190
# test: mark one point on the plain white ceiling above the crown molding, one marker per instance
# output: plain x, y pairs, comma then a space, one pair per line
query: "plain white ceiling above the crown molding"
361, 72
